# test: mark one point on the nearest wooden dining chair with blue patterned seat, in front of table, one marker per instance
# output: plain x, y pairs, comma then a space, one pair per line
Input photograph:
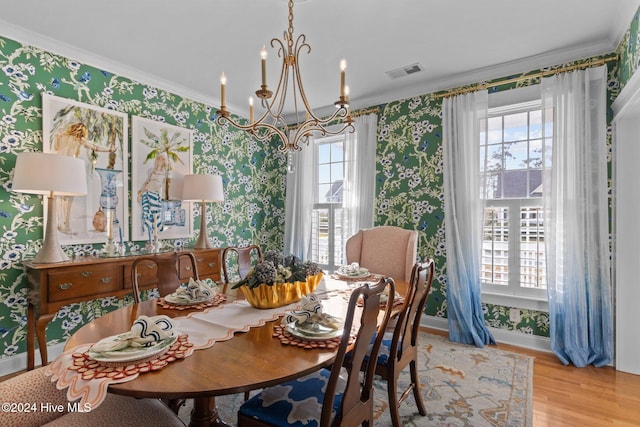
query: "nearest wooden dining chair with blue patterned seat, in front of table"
335, 396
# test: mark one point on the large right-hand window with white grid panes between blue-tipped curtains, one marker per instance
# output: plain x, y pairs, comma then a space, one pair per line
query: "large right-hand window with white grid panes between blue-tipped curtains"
514, 149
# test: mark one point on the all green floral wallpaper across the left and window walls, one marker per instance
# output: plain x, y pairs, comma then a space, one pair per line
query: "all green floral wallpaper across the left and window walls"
409, 175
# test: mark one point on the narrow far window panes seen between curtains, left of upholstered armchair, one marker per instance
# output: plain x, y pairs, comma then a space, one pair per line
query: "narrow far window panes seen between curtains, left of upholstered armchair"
328, 218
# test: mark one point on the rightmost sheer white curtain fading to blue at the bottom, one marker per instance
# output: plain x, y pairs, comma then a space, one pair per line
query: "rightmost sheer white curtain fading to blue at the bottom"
576, 218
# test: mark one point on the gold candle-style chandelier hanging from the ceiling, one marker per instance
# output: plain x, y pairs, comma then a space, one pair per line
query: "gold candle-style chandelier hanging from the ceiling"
272, 121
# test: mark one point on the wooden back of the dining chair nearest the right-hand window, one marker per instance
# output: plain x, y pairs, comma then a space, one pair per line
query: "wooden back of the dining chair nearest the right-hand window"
405, 334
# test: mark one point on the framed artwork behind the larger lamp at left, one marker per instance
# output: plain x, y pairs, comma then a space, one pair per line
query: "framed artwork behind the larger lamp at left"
99, 137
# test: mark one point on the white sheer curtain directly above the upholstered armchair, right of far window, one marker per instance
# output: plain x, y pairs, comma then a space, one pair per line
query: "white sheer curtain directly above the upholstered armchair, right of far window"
360, 174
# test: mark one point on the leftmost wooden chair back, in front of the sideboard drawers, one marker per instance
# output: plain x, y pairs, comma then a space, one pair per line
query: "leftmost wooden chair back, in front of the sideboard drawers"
167, 271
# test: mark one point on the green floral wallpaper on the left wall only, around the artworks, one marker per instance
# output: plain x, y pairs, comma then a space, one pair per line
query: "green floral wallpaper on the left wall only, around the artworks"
253, 211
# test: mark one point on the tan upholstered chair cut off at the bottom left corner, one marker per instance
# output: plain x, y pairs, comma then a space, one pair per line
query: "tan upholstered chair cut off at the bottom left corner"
35, 387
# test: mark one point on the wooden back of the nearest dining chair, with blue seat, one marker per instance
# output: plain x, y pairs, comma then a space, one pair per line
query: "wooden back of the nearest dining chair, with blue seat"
357, 401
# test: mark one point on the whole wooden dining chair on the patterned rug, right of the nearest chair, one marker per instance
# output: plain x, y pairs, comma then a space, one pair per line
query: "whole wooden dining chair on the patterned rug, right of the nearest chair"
400, 343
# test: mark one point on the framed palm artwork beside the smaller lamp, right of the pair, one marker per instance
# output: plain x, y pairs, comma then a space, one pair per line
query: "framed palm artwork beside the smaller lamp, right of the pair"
161, 155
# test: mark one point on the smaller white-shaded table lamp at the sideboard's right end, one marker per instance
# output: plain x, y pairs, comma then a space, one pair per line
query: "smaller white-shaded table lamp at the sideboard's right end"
203, 188
